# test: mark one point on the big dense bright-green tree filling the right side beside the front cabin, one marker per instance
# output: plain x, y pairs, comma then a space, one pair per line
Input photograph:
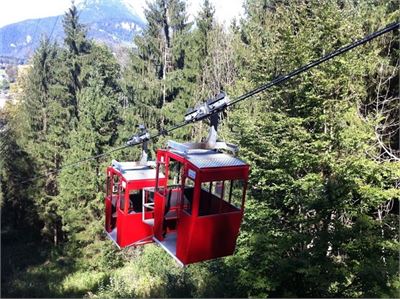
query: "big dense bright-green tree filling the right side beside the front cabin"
313, 213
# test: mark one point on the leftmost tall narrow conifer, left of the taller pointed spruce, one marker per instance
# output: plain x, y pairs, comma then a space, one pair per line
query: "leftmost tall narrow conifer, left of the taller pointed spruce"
44, 125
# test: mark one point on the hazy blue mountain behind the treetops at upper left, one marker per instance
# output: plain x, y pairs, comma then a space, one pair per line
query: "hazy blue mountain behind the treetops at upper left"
113, 22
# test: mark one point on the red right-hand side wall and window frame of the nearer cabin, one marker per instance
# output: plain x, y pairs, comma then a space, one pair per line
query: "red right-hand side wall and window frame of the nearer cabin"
211, 236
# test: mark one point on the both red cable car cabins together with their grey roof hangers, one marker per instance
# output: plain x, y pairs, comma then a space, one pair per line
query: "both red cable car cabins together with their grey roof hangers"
190, 201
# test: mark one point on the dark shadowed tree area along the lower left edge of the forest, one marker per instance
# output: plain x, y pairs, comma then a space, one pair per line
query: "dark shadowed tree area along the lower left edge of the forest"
30, 265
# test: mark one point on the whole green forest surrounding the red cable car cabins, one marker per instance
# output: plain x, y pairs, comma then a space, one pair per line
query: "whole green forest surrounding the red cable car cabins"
322, 209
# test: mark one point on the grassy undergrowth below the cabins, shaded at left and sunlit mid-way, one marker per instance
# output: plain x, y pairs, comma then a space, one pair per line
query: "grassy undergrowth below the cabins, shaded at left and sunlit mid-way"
33, 268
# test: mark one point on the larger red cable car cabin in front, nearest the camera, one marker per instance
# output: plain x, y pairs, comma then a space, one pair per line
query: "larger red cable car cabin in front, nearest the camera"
199, 209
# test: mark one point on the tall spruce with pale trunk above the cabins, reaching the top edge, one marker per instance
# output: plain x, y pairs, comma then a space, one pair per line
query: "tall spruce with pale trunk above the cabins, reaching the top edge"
153, 77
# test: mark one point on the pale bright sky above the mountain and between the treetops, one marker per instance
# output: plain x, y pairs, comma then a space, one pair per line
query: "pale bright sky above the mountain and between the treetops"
12, 11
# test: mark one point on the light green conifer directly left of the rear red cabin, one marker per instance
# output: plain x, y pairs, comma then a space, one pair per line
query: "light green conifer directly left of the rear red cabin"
80, 200
